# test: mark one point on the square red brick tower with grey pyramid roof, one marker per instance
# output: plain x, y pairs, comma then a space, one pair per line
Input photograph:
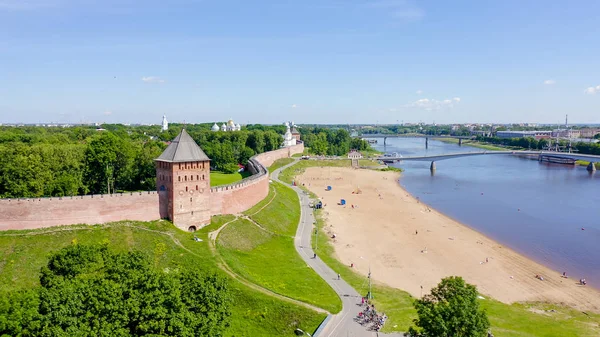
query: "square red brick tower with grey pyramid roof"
183, 183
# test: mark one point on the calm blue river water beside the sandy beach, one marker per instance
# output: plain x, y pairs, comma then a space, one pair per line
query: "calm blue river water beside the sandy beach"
537, 209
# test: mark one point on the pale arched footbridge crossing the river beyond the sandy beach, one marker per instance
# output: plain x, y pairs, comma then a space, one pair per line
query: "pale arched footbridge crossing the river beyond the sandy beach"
541, 155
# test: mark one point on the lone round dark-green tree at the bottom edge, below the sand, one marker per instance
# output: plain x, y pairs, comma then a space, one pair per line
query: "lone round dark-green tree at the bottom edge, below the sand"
451, 310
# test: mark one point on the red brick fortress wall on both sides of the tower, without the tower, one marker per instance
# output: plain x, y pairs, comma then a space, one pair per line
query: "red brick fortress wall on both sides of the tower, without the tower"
32, 213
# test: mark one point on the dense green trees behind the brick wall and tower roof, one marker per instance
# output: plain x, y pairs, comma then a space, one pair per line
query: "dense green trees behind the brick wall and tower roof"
41, 161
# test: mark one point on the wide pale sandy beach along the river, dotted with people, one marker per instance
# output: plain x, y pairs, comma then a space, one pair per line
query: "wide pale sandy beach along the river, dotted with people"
381, 231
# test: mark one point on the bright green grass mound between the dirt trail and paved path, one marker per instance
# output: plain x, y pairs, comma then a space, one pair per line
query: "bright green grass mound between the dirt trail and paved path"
268, 258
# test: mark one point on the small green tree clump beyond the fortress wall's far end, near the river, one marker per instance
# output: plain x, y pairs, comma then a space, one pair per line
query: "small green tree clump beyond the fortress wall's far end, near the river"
330, 141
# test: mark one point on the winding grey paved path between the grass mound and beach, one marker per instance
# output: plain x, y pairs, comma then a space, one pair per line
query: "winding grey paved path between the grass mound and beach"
341, 324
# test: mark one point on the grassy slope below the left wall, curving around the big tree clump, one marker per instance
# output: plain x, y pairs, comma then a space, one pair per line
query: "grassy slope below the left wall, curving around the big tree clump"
253, 313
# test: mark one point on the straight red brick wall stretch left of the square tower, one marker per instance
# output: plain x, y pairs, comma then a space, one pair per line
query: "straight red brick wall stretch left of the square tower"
47, 212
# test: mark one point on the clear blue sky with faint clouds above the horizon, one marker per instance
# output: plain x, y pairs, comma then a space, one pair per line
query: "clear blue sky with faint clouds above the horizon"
312, 61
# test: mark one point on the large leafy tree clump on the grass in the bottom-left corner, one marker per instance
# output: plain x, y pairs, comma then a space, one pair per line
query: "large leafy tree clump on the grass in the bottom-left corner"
91, 291
